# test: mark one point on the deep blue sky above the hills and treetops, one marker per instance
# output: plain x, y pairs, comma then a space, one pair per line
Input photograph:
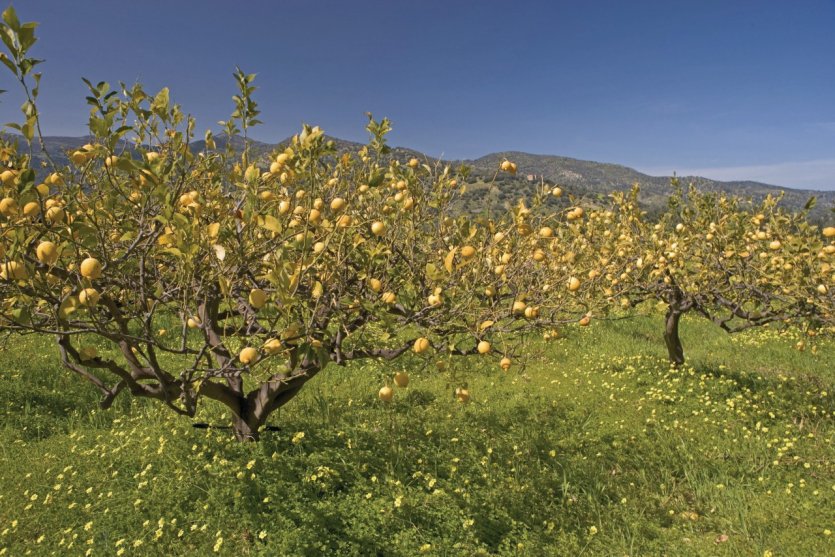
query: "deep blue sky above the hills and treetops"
728, 89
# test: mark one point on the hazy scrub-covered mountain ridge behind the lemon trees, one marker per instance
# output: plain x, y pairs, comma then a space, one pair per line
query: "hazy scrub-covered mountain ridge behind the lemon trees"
579, 177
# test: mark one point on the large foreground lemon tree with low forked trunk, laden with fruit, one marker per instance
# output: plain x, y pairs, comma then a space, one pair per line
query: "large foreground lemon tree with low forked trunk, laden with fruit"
182, 274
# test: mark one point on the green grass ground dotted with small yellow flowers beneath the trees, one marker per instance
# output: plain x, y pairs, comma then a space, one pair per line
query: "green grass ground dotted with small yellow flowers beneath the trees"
598, 448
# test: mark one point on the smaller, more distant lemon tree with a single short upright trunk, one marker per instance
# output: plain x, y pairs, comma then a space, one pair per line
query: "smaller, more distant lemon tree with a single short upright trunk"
736, 262
